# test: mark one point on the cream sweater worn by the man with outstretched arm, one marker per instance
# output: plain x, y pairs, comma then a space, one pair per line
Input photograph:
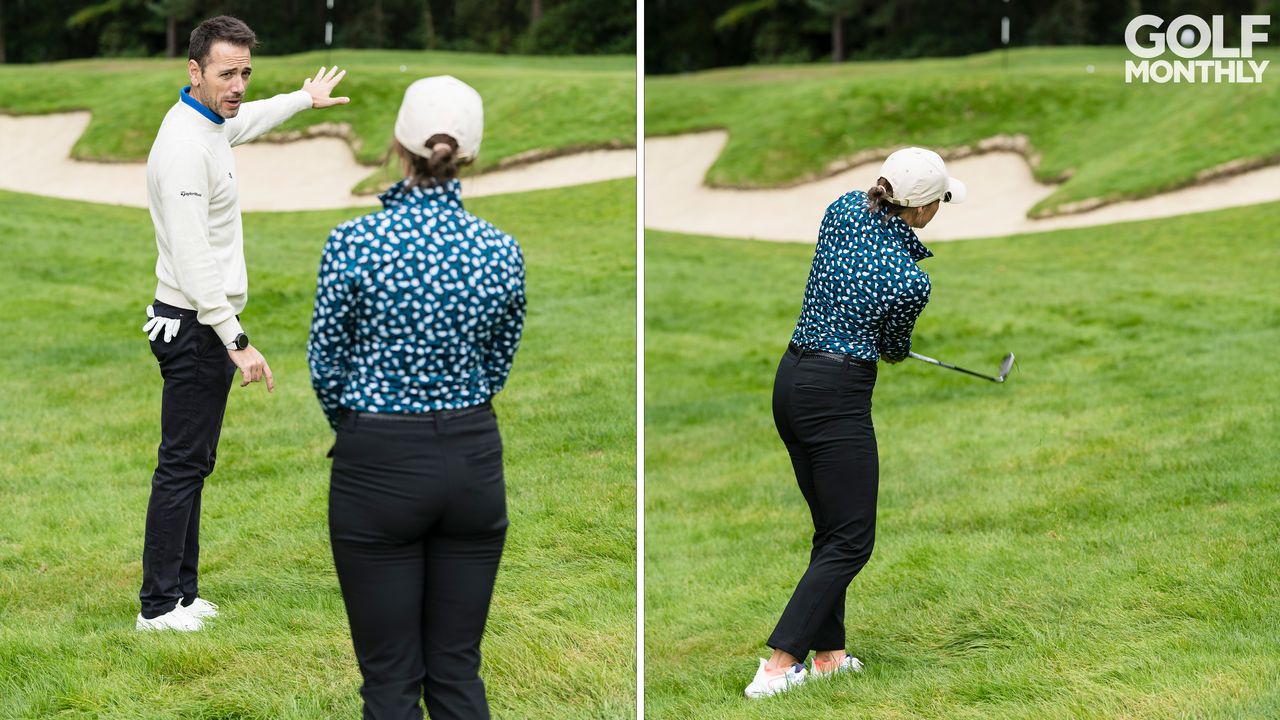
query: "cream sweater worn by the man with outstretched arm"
195, 206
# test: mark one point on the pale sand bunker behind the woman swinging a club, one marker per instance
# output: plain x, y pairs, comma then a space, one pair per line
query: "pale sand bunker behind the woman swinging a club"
1002, 192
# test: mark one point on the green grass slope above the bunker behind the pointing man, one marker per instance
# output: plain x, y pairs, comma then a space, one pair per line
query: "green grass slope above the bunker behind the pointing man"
532, 104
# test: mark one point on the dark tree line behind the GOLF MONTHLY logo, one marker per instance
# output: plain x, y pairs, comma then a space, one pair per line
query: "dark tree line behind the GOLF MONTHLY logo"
684, 37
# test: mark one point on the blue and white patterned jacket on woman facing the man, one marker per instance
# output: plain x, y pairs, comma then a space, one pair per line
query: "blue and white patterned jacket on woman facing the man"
419, 308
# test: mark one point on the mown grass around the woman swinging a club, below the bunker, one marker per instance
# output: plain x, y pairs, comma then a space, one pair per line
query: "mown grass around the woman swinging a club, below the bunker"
1096, 539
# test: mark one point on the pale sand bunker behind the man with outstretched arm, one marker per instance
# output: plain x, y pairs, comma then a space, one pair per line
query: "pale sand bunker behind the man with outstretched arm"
305, 175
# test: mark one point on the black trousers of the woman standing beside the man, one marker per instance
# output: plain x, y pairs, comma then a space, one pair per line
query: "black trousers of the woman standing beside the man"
418, 517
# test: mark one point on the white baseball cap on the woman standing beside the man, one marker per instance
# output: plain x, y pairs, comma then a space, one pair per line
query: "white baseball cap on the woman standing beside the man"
441, 106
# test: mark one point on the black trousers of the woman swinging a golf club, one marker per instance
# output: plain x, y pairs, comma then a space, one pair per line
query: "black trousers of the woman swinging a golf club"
824, 412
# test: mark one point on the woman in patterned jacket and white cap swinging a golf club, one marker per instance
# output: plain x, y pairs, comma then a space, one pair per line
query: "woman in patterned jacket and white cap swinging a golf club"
861, 304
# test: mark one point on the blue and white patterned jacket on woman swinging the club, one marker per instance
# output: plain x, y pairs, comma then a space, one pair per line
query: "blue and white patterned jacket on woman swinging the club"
865, 289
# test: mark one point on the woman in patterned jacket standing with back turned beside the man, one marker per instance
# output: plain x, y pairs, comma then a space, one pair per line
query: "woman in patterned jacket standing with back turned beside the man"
419, 311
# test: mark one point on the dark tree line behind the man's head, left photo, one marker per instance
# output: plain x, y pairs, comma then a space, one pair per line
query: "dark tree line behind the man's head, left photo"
39, 31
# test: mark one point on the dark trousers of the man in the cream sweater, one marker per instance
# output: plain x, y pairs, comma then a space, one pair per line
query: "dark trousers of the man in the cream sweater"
198, 375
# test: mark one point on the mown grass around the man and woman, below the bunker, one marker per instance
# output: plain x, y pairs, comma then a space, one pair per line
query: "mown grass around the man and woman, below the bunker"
79, 432
